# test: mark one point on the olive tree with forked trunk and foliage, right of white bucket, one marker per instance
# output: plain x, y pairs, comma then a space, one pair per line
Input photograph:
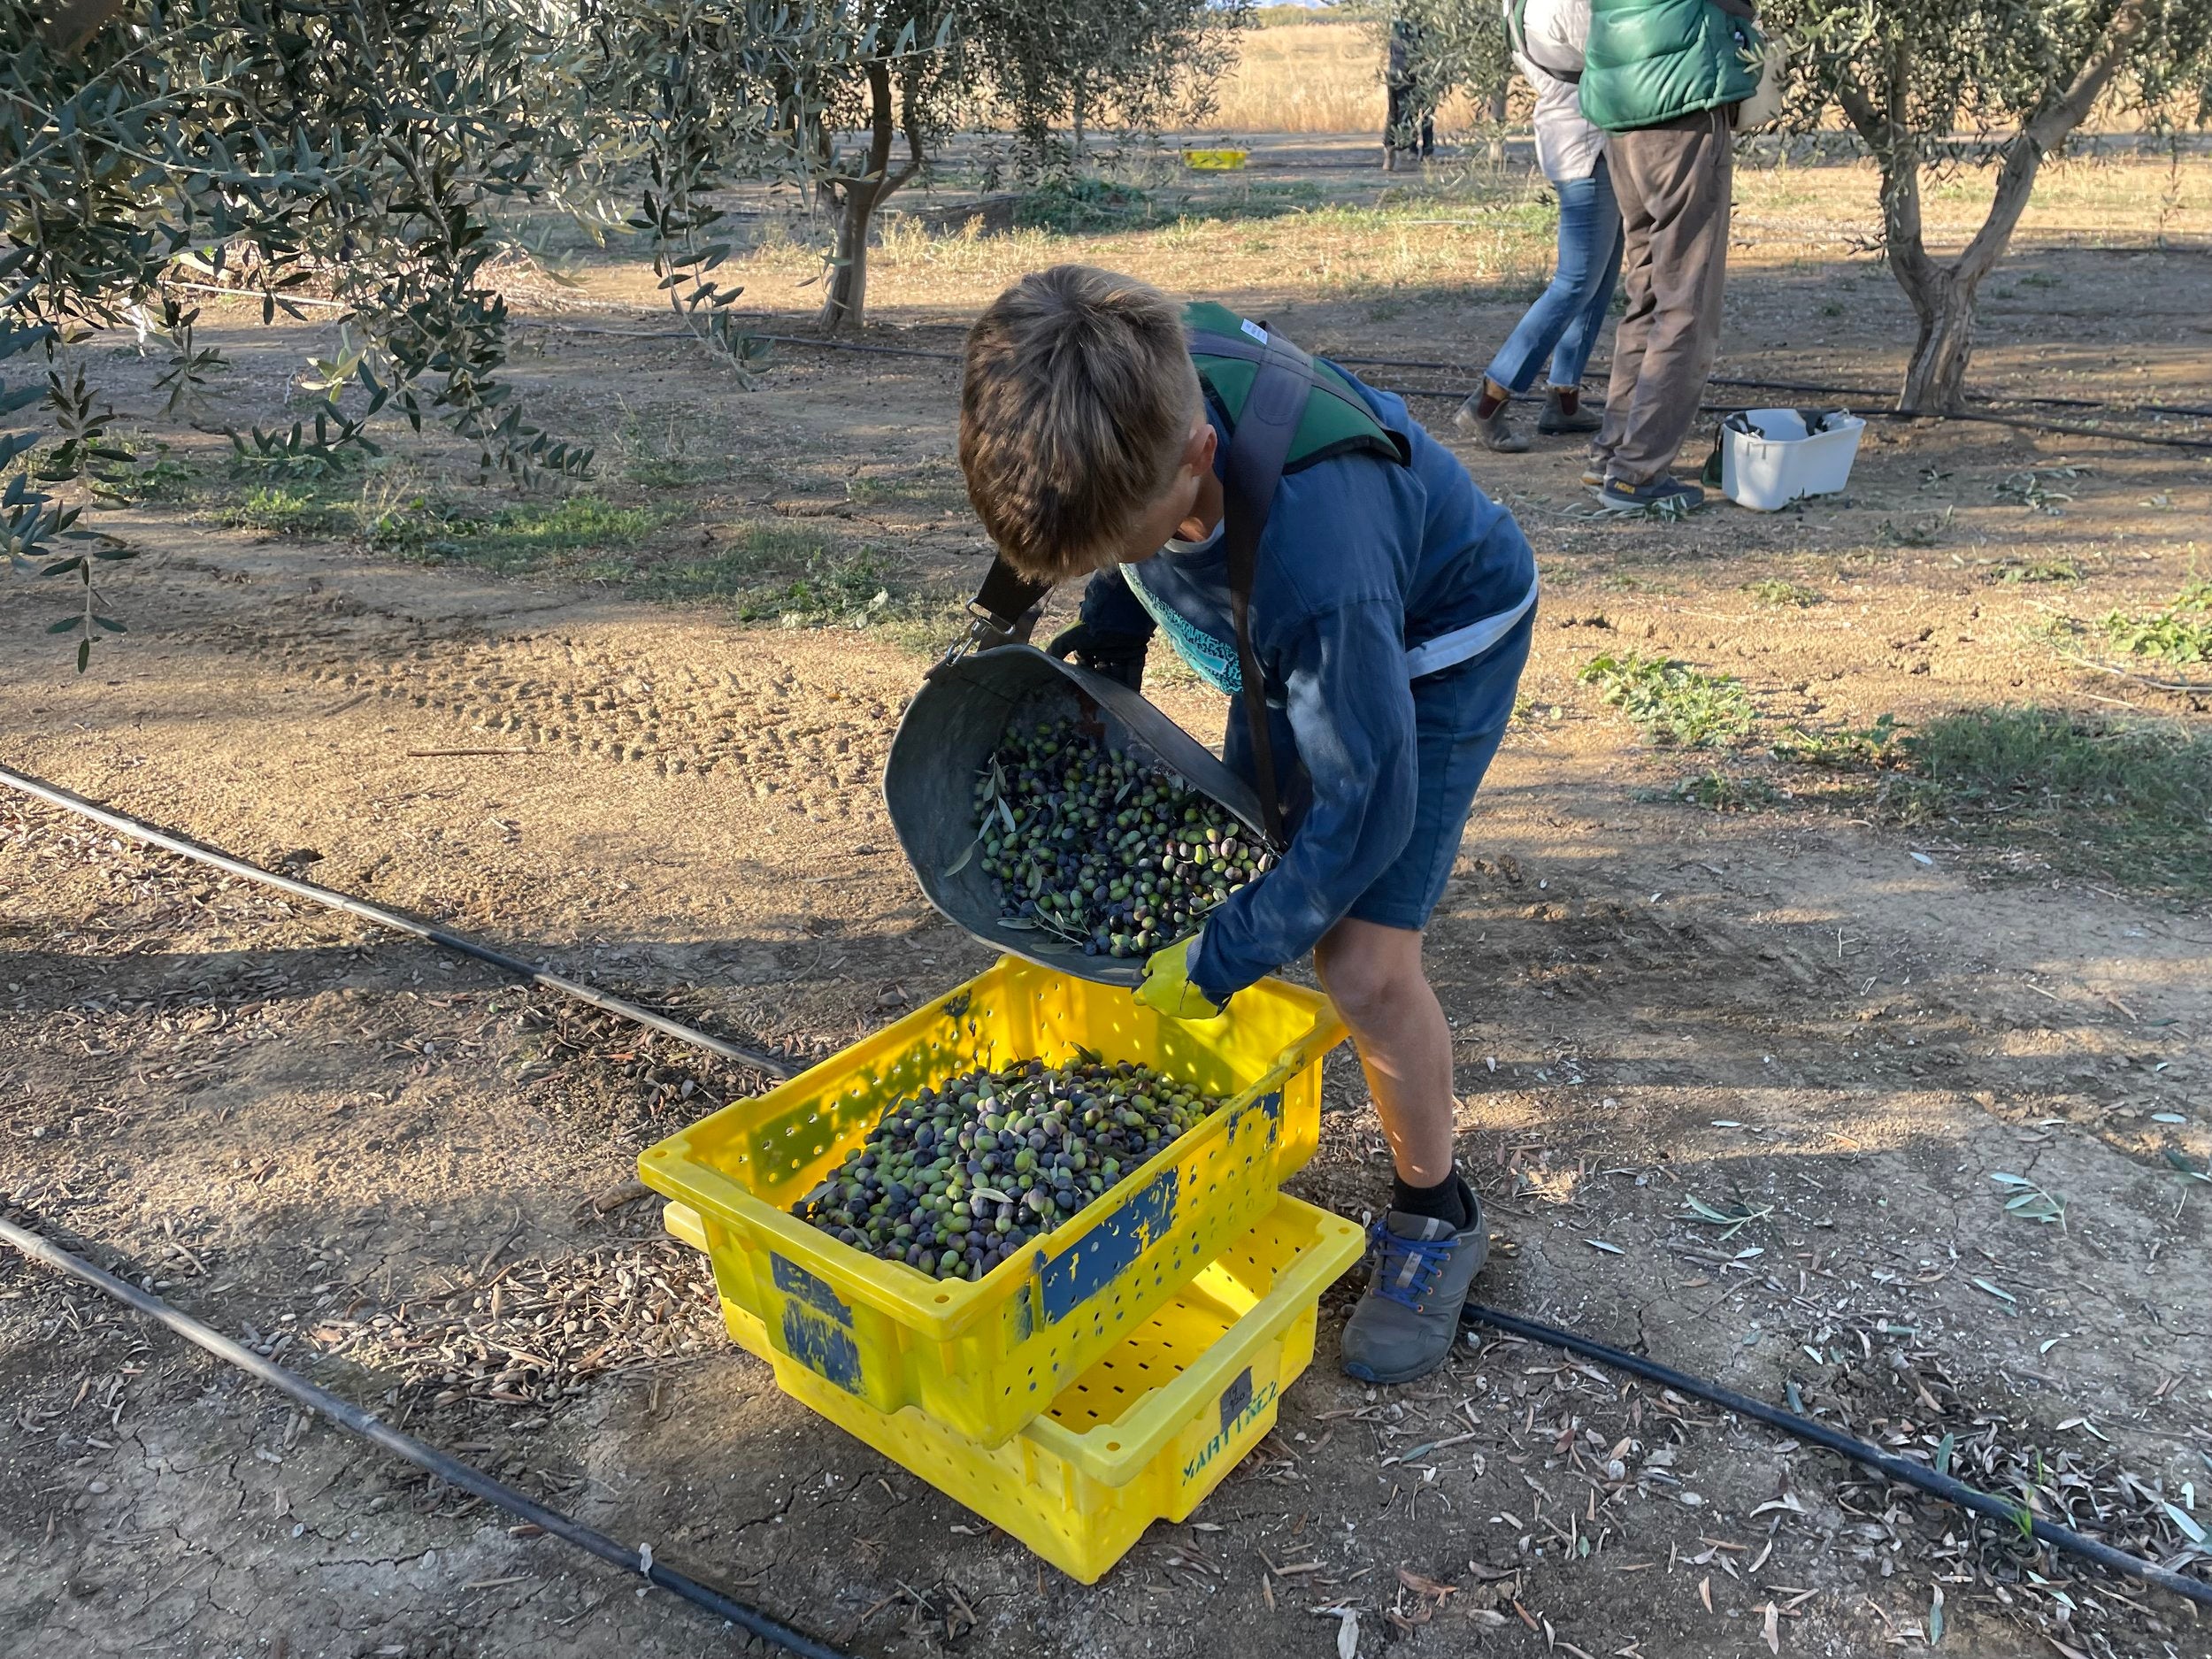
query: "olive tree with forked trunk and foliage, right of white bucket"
1934, 85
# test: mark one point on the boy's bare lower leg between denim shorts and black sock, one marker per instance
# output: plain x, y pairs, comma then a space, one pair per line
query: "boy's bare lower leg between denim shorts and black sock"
1377, 983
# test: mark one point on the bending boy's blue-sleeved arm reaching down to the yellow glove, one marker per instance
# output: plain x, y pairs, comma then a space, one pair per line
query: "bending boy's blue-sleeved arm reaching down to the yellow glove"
1353, 716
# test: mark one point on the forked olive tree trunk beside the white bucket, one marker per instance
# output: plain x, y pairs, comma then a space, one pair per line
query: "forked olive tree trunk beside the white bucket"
1945, 293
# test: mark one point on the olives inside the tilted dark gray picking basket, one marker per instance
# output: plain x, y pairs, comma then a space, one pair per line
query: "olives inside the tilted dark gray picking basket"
1100, 848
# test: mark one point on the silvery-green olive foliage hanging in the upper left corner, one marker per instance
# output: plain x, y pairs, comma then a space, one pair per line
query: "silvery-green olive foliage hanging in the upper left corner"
353, 156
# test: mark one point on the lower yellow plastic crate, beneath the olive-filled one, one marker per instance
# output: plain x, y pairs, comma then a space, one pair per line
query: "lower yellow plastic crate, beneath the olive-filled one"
1149, 1430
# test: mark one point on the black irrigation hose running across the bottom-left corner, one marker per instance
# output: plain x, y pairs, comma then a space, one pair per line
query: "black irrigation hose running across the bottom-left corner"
404, 1446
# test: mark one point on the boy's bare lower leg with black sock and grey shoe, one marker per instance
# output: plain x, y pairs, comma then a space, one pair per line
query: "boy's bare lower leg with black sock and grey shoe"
1432, 1242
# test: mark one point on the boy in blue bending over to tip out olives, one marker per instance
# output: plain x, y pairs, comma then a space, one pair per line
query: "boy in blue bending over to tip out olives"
1388, 616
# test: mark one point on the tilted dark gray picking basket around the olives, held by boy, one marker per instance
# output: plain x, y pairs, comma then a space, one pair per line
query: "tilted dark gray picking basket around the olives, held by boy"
948, 735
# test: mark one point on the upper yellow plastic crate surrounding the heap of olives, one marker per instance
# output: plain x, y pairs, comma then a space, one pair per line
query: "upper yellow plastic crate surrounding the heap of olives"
988, 1357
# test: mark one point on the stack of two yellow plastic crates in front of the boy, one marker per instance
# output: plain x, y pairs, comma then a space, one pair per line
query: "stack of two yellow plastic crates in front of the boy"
1118, 1368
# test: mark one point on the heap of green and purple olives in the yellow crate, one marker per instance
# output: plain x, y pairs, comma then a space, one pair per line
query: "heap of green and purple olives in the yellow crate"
963, 1176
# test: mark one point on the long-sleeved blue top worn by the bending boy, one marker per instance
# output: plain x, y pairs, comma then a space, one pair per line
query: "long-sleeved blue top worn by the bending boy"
1364, 561
